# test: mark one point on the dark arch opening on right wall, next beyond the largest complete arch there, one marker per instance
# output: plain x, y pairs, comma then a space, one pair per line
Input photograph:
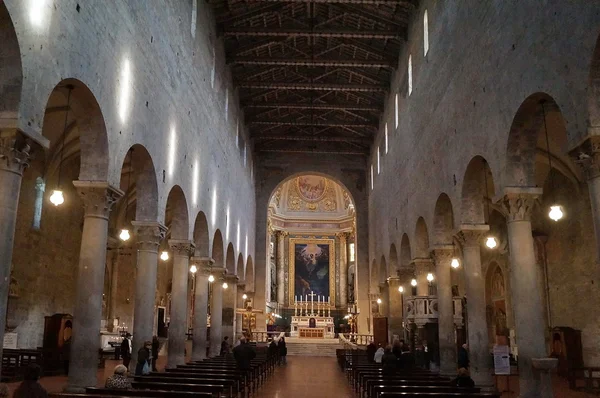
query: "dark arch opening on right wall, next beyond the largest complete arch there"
475, 192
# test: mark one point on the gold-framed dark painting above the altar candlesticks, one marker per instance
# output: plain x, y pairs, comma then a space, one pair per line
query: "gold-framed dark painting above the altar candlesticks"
312, 268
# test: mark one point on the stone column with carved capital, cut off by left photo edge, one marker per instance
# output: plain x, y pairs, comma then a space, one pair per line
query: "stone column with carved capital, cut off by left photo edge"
14, 158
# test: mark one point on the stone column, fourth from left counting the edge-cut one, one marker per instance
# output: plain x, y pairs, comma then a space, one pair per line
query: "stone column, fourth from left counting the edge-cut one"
182, 250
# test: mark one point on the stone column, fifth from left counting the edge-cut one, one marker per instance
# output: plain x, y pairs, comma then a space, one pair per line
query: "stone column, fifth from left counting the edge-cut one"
199, 339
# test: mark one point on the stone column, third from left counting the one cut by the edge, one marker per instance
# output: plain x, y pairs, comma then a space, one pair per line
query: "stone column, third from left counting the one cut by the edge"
148, 235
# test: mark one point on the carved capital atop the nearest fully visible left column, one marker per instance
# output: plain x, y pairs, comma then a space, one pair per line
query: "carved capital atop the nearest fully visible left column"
98, 197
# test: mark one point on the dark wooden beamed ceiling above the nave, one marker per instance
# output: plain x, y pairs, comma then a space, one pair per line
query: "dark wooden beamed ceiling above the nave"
313, 75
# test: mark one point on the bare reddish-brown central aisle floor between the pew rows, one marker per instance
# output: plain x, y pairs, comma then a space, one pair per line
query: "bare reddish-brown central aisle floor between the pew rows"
307, 377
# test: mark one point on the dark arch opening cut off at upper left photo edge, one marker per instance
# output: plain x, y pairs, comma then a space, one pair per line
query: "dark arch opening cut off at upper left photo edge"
12, 69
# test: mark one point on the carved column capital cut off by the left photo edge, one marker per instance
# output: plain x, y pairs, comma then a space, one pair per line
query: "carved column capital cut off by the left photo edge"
15, 151
